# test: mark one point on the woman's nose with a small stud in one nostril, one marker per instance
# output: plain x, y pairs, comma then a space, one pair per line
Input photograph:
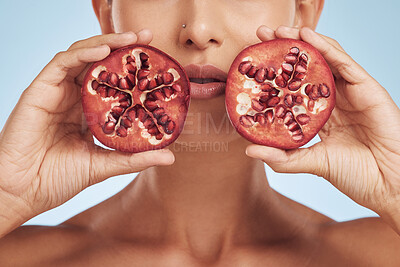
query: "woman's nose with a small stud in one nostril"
202, 27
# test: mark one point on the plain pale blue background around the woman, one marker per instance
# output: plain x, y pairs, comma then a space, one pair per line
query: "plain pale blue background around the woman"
34, 31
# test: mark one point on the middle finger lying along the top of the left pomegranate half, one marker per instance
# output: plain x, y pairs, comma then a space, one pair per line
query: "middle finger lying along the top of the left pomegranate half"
113, 40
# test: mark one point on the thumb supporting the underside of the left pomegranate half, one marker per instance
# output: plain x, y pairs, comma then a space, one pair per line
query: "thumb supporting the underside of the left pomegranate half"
106, 163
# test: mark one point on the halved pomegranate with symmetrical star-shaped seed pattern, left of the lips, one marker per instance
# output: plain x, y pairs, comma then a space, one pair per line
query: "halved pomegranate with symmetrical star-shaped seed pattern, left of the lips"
136, 99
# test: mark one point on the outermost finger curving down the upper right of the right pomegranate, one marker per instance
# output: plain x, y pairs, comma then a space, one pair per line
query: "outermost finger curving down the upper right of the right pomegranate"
337, 59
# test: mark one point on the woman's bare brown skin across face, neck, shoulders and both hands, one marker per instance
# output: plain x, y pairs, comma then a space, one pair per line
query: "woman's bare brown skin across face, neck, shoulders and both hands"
209, 208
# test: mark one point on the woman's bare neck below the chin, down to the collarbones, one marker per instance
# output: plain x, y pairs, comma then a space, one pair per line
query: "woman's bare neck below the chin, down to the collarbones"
205, 202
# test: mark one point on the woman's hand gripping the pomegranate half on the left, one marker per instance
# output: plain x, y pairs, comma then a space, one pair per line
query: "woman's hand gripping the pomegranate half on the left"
47, 154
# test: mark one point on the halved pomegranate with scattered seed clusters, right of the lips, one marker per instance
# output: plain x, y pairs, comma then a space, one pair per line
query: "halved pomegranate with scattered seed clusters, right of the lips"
280, 93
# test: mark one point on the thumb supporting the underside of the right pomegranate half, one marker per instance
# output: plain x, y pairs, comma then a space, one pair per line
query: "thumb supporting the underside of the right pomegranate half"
312, 160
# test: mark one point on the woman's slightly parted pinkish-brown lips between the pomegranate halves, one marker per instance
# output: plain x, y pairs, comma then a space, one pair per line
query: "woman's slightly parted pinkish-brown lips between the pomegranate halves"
206, 89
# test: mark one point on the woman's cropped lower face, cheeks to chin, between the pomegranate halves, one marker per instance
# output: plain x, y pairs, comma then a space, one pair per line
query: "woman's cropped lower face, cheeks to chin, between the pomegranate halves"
216, 31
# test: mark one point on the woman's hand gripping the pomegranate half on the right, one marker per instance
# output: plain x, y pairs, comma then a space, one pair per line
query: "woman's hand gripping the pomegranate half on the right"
359, 152
